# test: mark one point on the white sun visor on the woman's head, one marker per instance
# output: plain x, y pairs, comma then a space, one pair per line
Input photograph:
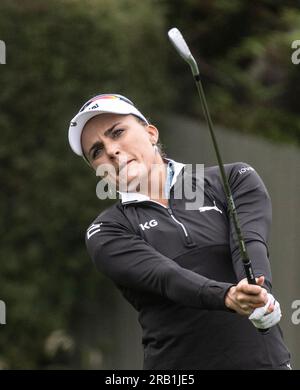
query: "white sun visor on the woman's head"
100, 104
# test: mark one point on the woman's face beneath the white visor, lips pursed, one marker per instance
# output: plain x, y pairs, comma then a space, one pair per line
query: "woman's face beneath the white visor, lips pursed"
122, 143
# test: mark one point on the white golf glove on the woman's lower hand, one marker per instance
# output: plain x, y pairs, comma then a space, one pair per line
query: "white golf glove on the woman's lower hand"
263, 320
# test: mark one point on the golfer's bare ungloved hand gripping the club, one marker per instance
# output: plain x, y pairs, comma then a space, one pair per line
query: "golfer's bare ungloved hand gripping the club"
245, 298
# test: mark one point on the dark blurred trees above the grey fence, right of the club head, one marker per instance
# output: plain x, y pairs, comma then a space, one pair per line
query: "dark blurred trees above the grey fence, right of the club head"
244, 51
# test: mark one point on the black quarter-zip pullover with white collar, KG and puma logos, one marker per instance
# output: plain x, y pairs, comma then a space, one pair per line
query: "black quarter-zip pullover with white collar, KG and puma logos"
176, 265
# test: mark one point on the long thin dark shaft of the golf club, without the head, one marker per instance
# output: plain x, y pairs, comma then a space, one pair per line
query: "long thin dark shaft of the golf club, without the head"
243, 251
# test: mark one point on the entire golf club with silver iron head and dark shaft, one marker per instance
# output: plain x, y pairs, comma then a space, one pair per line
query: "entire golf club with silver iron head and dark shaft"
180, 45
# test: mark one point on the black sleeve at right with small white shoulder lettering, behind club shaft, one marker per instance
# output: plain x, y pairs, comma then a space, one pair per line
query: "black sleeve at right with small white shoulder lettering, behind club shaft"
254, 211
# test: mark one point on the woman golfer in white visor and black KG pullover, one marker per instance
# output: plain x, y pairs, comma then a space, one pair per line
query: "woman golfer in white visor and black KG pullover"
178, 264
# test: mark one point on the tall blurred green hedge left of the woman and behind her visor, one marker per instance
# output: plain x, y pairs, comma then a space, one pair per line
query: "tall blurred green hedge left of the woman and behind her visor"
60, 53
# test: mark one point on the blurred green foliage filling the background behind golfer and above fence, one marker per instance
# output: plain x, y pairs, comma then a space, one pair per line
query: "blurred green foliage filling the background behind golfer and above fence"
60, 311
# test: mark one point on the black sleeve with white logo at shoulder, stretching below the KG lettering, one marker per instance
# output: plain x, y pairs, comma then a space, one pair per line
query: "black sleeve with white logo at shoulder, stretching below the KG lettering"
131, 262
